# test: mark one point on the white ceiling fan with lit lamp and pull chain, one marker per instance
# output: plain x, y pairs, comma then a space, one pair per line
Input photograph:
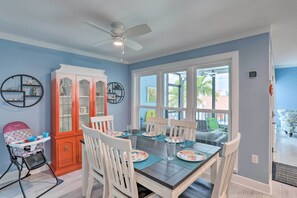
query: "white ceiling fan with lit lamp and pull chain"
120, 36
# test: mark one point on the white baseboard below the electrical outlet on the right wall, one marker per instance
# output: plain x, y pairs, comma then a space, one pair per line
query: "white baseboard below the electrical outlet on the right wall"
252, 184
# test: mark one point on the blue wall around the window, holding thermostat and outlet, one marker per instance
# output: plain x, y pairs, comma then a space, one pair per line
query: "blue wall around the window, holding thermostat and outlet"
253, 98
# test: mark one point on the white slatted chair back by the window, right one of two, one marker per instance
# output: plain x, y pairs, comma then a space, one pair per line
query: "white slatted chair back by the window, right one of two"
183, 128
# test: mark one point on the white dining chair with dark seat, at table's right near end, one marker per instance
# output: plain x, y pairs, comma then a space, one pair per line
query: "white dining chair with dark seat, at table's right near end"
203, 189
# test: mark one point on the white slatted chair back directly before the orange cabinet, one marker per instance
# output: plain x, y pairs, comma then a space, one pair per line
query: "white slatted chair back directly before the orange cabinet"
103, 123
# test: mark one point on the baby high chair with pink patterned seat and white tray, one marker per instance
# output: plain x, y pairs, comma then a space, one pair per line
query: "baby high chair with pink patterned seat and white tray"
22, 152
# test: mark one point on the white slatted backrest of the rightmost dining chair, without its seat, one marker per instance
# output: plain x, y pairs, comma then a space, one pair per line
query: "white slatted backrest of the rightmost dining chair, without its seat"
229, 154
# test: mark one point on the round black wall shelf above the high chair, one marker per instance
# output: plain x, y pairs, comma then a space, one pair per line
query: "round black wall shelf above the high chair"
21, 90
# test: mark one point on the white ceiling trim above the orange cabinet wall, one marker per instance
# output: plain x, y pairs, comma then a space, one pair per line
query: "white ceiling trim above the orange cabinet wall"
43, 44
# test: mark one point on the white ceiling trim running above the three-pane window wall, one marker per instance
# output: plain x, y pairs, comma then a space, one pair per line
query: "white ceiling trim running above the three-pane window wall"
266, 29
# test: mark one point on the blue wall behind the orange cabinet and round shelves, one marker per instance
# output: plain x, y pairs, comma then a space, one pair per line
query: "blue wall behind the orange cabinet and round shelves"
17, 58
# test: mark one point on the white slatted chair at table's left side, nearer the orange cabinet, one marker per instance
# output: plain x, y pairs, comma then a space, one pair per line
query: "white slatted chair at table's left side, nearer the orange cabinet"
95, 159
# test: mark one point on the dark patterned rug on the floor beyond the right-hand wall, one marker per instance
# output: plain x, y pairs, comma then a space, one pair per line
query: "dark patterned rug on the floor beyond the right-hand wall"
284, 173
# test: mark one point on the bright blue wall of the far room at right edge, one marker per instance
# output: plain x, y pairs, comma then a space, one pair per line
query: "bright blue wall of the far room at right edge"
285, 89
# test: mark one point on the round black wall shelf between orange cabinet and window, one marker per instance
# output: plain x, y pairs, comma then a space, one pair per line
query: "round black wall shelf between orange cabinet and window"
115, 93
